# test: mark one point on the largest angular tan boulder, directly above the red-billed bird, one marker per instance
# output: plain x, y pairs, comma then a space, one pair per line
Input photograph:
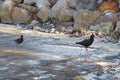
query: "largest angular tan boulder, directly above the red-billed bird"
84, 18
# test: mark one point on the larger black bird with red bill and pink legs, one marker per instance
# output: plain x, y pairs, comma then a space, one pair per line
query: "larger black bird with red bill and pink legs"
87, 42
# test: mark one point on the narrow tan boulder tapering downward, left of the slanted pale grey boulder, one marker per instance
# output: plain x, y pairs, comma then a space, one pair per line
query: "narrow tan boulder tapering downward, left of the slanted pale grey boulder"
44, 13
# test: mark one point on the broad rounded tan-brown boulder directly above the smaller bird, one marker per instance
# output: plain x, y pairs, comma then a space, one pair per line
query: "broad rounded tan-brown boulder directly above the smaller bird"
20, 15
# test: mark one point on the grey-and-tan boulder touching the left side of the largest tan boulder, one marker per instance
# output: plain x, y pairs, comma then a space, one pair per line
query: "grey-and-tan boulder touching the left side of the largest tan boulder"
66, 14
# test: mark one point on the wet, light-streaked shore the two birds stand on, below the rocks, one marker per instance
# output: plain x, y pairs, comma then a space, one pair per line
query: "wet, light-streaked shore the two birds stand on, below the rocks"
49, 56
